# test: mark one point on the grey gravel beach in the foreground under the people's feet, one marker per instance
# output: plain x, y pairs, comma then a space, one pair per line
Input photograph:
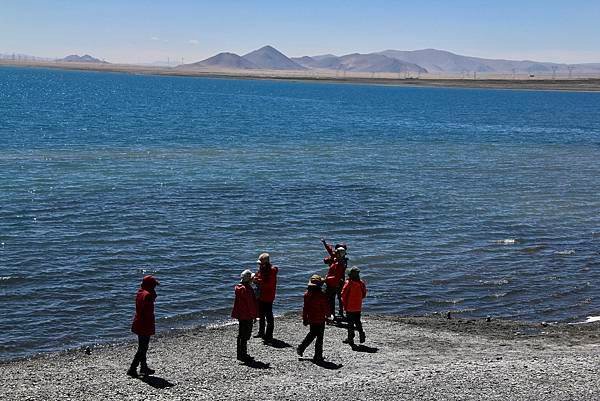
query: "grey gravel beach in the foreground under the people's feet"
403, 358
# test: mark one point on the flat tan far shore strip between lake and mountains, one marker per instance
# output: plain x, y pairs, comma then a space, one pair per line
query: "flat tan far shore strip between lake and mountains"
591, 85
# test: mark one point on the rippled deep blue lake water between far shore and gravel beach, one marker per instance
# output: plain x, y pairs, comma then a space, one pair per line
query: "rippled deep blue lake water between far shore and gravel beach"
482, 202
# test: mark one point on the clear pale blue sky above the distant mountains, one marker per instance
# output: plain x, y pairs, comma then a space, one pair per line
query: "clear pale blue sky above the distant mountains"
147, 31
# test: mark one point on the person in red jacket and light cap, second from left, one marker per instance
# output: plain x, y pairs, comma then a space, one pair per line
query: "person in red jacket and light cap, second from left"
245, 311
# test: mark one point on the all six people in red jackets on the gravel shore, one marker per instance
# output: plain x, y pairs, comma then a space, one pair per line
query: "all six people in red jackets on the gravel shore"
254, 297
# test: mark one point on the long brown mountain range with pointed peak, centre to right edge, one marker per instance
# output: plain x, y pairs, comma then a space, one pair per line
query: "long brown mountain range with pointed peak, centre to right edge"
388, 61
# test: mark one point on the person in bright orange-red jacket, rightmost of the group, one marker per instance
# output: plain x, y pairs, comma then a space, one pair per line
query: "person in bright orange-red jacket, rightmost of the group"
353, 293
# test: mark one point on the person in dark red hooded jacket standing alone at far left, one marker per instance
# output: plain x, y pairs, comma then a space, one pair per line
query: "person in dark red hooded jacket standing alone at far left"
143, 324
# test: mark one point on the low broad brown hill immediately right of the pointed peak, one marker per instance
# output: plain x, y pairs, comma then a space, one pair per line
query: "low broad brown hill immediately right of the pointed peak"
359, 63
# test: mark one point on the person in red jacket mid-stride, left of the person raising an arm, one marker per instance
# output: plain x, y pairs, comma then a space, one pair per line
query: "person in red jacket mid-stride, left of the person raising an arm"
314, 313
